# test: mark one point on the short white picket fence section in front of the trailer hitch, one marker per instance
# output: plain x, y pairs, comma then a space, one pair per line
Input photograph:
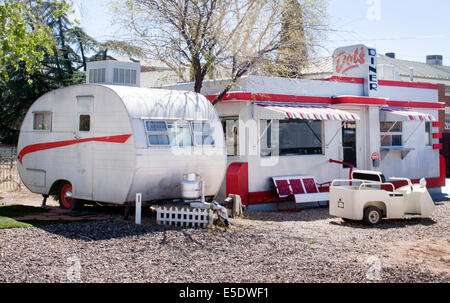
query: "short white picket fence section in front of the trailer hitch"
184, 217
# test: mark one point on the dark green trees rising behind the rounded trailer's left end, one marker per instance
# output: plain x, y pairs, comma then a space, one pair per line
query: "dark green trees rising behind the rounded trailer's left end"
61, 63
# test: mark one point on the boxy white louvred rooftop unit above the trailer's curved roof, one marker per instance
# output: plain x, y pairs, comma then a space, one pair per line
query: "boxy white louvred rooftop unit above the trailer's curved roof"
114, 72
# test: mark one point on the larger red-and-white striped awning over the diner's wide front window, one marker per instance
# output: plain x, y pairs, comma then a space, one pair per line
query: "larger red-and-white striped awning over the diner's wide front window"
293, 111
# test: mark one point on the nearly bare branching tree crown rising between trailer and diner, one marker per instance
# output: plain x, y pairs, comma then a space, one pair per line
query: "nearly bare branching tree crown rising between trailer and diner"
210, 35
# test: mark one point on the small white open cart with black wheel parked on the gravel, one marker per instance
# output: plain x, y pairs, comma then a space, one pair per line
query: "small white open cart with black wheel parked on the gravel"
368, 197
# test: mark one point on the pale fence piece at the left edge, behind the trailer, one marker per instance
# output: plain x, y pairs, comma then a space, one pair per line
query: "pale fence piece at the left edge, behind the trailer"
9, 176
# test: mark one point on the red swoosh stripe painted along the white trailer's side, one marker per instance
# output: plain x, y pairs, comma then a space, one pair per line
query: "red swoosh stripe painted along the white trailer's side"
50, 145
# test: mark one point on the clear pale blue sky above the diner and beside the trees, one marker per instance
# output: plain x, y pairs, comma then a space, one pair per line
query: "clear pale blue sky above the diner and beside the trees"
410, 28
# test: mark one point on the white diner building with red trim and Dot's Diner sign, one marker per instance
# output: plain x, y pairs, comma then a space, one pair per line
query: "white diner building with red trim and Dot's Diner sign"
319, 130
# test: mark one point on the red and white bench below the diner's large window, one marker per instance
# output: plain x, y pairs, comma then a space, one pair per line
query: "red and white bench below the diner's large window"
302, 188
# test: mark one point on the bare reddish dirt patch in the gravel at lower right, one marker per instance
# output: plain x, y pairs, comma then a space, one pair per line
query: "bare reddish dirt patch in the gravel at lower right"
434, 254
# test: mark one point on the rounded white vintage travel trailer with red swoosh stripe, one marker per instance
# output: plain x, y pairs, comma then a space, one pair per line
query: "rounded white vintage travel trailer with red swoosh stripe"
107, 143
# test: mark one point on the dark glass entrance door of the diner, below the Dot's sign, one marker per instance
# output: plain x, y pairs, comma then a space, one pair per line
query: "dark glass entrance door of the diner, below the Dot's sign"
353, 145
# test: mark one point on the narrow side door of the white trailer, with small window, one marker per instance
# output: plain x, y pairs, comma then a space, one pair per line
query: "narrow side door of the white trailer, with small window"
84, 150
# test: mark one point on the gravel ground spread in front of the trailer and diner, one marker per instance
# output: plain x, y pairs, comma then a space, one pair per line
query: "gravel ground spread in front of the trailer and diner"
264, 247
